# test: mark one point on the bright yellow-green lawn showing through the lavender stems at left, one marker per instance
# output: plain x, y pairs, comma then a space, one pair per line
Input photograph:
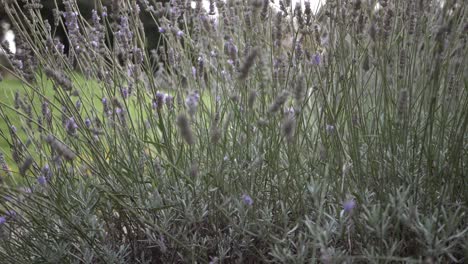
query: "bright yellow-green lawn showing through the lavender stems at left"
90, 95
